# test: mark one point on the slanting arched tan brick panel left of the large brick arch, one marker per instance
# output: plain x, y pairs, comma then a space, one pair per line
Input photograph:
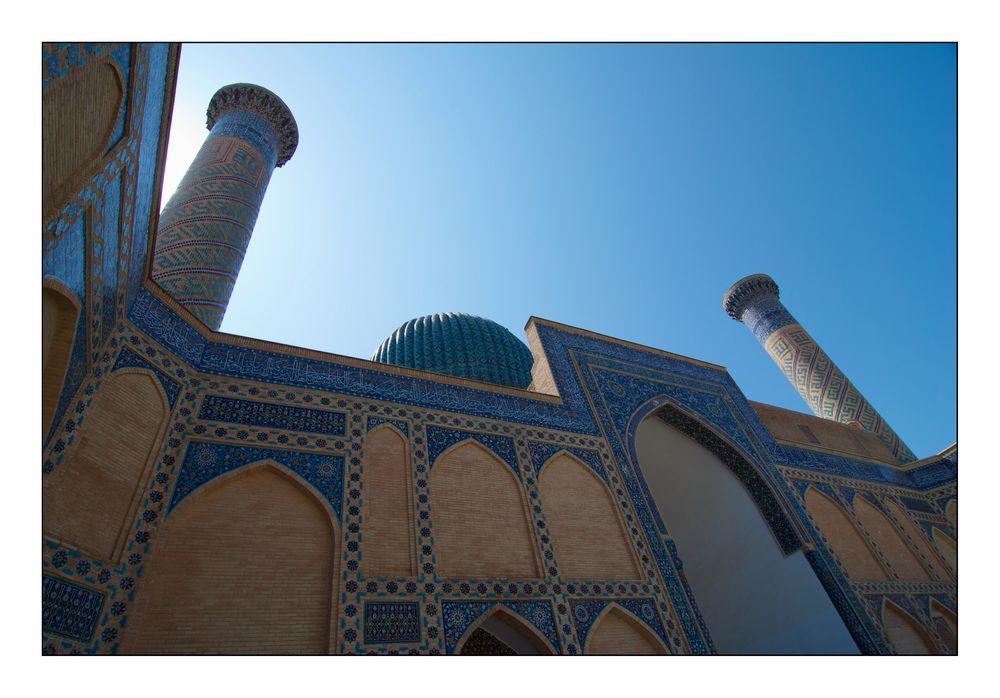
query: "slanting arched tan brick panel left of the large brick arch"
90, 500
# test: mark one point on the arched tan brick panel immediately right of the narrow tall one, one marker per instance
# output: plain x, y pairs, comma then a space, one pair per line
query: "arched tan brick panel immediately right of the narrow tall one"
481, 525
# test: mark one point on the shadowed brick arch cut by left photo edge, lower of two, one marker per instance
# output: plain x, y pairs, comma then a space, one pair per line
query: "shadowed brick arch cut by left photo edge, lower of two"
59, 317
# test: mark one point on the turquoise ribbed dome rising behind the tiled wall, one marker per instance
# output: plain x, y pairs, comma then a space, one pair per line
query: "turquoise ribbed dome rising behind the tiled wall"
462, 345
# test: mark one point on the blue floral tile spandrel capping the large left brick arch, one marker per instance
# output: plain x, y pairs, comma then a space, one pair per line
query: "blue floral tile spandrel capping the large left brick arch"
204, 461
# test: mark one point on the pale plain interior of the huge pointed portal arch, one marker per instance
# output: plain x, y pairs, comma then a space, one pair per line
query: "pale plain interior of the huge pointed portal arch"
754, 599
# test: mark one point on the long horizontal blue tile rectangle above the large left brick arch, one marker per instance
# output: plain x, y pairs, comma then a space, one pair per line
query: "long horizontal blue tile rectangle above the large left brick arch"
276, 416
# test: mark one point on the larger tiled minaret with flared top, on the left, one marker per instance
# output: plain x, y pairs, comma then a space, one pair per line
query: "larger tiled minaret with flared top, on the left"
205, 228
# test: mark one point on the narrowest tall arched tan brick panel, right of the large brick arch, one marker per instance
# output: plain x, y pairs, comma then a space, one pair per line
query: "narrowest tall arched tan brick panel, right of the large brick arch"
387, 513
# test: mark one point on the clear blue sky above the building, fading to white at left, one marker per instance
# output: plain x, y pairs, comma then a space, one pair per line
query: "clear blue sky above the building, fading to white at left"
617, 188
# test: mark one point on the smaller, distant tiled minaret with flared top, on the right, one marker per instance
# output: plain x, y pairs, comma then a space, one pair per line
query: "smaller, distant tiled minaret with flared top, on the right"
753, 300
